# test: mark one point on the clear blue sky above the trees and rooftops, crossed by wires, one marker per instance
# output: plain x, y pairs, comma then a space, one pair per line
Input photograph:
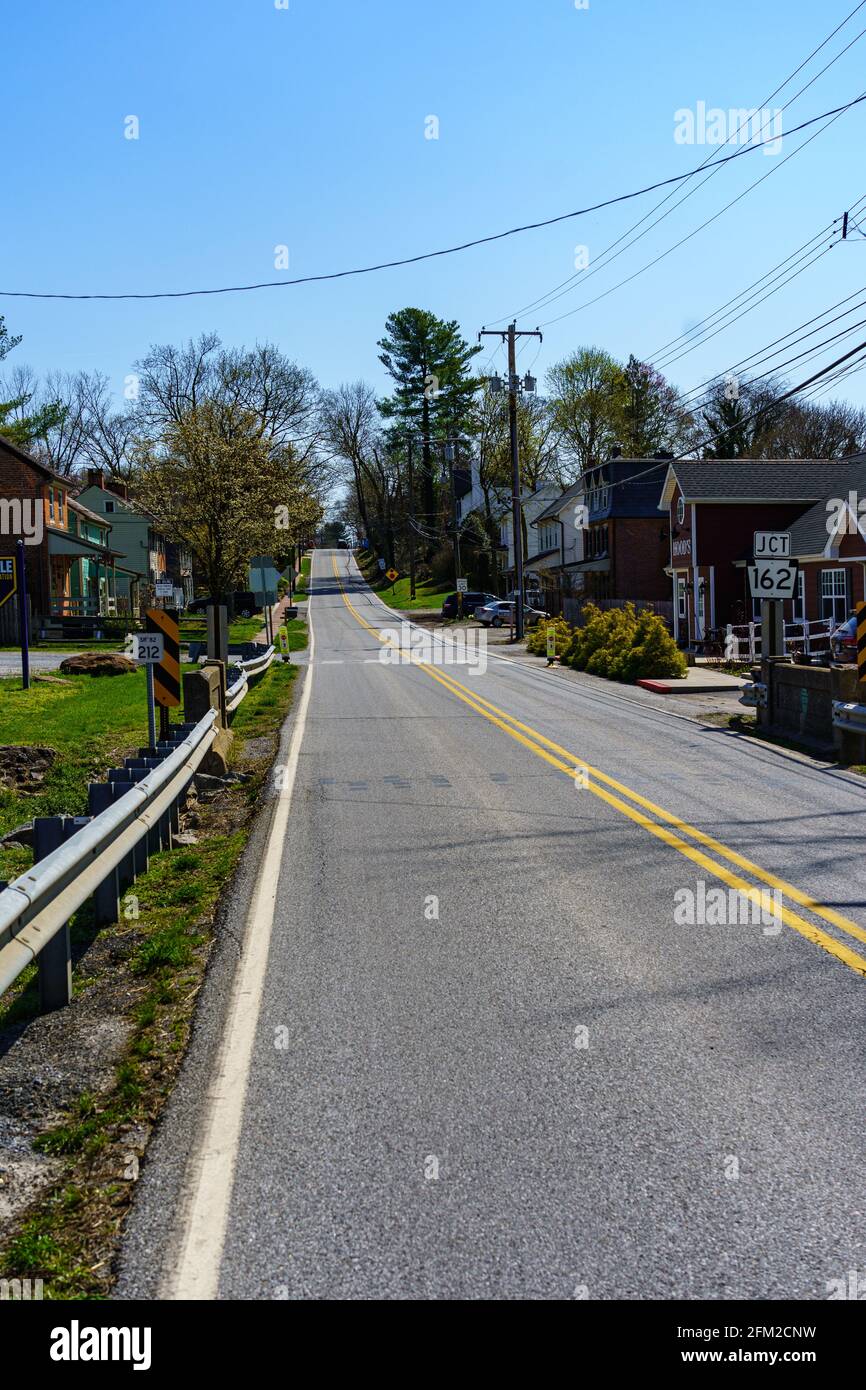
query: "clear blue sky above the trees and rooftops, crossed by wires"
307, 127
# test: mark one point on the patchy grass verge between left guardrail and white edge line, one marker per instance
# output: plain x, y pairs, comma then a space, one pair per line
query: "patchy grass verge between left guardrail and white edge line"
145, 975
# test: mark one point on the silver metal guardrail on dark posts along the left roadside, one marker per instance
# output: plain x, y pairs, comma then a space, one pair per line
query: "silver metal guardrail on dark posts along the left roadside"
99, 857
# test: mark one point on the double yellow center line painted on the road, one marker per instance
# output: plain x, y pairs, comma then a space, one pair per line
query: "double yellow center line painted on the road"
668, 828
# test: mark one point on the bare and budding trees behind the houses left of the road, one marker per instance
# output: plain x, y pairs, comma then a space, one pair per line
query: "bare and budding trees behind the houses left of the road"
223, 447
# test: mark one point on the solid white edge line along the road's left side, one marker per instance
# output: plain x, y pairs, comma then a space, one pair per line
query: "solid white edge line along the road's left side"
206, 1197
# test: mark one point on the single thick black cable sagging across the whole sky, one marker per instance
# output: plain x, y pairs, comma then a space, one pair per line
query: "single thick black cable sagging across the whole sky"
448, 251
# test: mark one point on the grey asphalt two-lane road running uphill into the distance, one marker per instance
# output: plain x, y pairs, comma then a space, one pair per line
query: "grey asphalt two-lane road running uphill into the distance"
487, 1057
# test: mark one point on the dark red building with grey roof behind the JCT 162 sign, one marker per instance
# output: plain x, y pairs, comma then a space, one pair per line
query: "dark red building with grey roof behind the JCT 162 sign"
717, 505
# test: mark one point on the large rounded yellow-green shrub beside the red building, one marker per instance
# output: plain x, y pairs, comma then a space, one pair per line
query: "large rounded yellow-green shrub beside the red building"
623, 646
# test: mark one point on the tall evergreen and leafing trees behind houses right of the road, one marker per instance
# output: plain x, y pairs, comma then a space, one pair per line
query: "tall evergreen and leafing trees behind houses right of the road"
400, 454
